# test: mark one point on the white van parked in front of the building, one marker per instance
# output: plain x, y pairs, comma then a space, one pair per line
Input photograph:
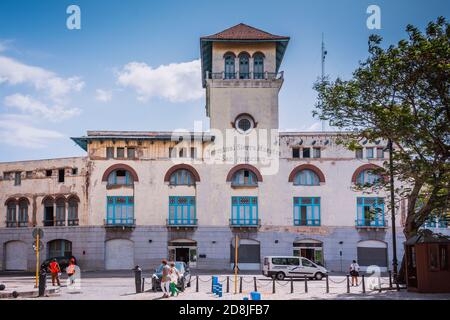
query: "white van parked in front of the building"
280, 267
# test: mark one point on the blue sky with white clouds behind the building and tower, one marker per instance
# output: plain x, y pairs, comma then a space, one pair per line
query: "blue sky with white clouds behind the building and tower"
117, 71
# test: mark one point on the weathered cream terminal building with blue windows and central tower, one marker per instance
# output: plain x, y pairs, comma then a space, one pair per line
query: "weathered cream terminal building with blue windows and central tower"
138, 197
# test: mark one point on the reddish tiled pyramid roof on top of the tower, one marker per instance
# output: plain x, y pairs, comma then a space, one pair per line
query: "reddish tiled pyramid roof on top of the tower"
244, 32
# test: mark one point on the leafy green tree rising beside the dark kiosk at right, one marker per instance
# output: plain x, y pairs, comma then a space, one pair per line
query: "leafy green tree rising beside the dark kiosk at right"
401, 93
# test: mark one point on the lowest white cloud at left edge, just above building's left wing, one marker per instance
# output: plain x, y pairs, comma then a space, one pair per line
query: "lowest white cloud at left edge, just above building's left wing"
17, 131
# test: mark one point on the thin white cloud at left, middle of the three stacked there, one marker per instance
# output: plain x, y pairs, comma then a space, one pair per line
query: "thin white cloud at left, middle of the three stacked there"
29, 105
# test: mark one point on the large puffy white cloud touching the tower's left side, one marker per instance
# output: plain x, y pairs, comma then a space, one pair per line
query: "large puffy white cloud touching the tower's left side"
176, 82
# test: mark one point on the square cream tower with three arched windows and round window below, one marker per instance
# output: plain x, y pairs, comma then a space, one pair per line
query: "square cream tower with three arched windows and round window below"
242, 78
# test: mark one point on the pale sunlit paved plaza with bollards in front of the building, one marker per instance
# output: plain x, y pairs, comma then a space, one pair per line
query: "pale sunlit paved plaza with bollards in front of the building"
121, 286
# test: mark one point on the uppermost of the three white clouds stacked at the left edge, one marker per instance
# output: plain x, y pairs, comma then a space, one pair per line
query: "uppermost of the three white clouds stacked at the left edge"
15, 72
